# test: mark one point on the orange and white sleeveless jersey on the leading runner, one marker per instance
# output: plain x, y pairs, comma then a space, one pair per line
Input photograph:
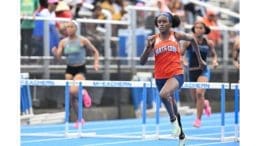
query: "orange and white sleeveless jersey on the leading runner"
167, 57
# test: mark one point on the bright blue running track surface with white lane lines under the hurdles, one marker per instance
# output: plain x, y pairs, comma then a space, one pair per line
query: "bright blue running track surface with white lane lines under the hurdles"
53, 135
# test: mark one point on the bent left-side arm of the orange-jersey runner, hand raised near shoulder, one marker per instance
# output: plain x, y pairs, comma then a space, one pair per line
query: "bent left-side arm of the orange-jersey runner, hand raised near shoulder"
147, 51
